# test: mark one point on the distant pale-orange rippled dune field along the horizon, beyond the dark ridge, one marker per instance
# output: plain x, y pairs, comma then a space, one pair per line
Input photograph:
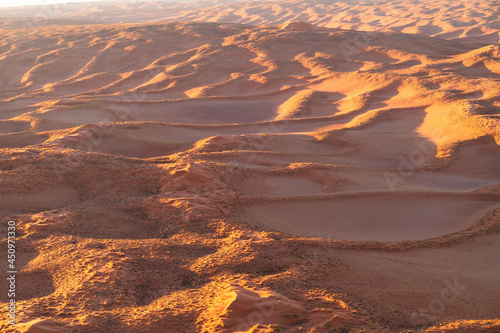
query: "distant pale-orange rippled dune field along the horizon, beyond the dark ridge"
465, 20
